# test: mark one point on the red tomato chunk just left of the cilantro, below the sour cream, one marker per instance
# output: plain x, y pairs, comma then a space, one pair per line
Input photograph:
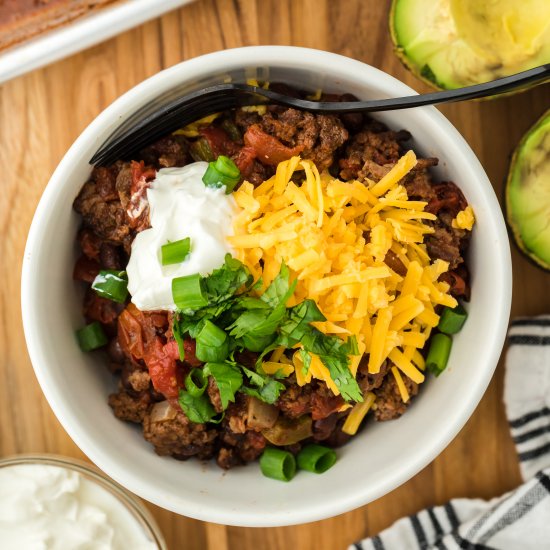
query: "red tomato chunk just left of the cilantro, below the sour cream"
163, 369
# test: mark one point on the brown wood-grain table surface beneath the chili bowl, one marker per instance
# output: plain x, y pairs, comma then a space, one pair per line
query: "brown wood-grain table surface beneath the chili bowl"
43, 112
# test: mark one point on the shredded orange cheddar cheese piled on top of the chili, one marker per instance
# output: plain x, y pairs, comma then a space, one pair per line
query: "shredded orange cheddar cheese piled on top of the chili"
335, 237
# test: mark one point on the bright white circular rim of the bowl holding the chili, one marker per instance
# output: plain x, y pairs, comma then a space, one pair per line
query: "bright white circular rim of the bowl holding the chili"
287, 57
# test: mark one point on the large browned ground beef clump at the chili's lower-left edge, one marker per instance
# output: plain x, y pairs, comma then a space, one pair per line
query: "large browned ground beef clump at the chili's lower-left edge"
180, 437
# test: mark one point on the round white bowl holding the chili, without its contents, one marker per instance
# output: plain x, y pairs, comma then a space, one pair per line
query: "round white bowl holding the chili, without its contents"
384, 455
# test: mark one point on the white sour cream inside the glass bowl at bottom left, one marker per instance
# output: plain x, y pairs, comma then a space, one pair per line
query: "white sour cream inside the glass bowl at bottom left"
45, 506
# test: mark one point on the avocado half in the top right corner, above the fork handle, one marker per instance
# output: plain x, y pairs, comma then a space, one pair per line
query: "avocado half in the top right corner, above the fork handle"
455, 43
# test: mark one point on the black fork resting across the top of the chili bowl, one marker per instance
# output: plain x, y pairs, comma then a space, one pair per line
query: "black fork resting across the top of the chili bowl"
221, 97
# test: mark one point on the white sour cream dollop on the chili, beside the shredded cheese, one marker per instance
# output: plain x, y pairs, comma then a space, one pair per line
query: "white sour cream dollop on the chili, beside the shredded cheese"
180, 206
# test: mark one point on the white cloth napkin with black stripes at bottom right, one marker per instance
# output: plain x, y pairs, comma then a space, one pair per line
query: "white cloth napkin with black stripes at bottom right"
519, 520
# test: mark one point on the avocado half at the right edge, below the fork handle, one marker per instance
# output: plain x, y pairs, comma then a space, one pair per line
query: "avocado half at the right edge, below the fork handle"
528, 193
